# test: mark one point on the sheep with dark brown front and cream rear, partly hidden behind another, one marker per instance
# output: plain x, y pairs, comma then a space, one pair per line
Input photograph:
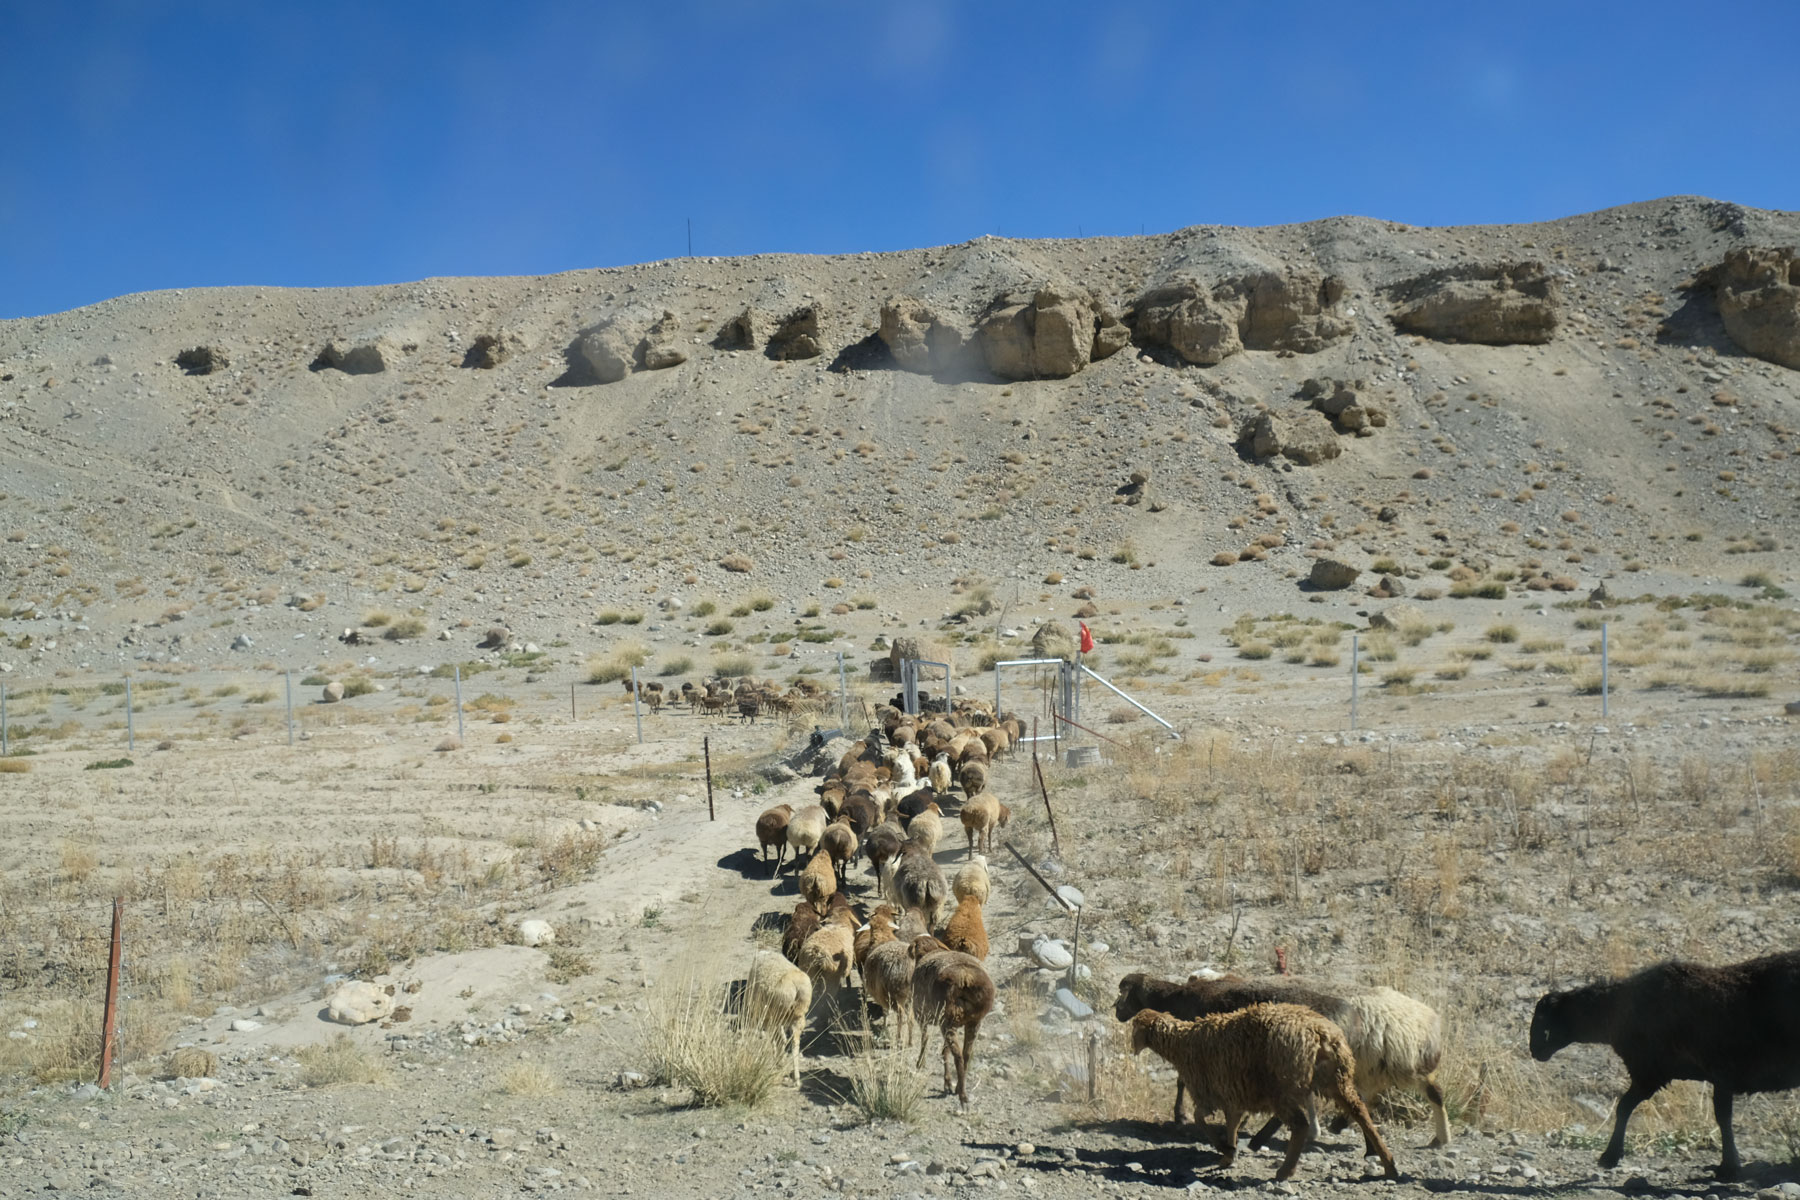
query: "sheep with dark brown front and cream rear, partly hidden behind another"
1398, 1041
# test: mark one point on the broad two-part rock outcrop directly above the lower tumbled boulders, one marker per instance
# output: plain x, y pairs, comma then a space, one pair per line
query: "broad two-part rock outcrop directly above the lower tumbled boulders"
1293, 310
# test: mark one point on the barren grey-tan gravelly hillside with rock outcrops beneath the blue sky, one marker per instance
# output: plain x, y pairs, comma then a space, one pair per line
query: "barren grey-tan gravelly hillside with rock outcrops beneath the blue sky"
1601, 395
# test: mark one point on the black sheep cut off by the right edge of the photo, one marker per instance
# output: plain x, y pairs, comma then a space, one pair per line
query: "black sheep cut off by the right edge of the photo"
1732, 1026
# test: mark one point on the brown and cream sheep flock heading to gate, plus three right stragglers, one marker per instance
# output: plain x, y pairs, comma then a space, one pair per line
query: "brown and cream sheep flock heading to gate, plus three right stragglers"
1239, 1046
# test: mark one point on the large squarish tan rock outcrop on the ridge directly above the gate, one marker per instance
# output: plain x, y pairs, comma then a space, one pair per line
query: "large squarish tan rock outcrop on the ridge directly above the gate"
1048, 334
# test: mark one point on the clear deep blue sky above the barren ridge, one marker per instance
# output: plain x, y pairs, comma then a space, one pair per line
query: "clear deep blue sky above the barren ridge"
314, 145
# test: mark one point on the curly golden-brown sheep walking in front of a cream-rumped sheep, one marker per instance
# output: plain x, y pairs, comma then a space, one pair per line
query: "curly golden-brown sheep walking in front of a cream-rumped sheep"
1263, 1059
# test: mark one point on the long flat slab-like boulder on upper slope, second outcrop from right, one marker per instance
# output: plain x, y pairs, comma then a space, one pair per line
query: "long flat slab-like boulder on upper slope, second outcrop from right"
1488, 303
